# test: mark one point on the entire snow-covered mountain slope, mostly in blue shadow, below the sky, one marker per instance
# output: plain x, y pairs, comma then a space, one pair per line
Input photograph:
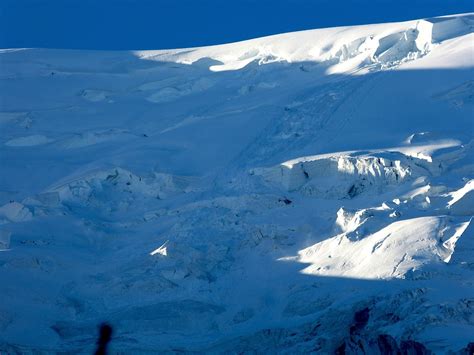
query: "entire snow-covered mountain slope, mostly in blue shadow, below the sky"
296, 193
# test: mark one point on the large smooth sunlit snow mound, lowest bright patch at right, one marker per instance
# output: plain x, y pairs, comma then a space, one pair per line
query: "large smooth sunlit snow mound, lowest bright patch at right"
383, 254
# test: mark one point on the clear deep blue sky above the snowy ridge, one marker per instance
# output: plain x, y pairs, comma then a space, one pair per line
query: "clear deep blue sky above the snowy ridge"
147, 24
